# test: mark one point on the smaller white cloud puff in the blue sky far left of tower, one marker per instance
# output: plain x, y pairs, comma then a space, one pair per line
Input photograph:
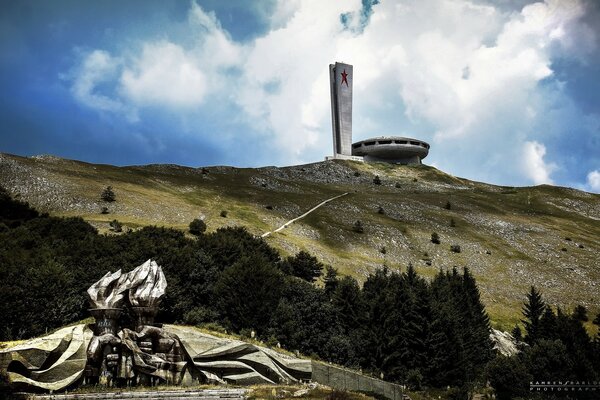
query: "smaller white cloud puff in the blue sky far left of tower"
163, 73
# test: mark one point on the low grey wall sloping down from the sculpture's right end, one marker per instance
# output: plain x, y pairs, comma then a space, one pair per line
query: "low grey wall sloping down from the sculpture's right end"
344, 379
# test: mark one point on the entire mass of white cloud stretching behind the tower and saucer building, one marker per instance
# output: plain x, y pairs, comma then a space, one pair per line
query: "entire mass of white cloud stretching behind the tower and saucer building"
463, 75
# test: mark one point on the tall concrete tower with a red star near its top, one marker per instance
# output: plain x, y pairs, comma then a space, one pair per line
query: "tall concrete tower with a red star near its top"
340, 80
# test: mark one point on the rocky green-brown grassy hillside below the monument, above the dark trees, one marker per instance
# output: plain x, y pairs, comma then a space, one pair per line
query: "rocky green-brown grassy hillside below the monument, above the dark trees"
511, 238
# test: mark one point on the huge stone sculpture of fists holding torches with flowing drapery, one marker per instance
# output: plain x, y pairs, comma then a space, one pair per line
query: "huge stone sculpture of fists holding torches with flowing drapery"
135, 350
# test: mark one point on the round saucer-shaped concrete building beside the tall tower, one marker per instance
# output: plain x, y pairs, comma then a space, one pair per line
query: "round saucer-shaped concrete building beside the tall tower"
400, 150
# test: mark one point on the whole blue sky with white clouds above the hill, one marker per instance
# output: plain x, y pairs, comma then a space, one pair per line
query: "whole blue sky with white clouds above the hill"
506, 91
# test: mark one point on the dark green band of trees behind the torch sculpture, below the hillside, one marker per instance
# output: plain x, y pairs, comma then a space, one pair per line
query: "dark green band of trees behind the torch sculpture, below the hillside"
398, 325
